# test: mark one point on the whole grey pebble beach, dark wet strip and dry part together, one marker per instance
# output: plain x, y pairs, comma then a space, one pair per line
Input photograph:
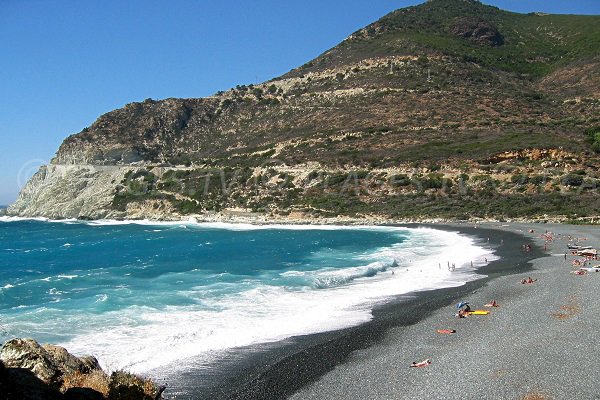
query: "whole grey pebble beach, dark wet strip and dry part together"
511, 353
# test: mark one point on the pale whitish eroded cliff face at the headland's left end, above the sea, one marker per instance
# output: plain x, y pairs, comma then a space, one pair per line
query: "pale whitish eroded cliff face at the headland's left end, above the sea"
70, 191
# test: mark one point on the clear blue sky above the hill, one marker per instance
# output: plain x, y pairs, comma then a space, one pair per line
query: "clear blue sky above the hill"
66, 62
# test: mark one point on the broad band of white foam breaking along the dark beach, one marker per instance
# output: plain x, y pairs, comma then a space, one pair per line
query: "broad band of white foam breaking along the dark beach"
143, 339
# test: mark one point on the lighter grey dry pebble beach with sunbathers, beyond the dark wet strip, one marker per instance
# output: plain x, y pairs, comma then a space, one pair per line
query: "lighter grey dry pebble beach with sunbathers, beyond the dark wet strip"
539, 344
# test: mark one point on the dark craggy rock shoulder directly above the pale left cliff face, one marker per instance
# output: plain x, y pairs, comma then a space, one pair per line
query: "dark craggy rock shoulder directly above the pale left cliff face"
140, 132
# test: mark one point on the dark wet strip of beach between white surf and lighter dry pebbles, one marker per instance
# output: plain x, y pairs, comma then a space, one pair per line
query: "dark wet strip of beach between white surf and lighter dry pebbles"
279, 370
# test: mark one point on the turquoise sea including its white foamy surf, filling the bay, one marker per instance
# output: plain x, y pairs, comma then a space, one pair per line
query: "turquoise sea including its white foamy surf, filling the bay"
143, 296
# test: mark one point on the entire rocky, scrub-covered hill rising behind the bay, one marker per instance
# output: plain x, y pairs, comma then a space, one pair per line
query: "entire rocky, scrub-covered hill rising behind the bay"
409, 117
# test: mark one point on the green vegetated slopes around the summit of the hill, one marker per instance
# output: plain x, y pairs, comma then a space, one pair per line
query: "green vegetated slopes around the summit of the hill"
533, 44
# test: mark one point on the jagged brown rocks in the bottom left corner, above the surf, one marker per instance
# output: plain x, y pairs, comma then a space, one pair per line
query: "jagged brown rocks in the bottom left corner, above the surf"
31, 371
